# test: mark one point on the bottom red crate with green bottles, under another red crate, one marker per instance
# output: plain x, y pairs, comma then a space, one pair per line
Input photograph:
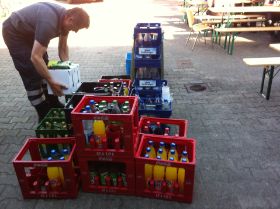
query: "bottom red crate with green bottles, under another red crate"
109, 177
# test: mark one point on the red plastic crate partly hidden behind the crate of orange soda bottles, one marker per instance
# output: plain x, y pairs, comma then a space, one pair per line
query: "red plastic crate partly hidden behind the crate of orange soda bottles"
177, 126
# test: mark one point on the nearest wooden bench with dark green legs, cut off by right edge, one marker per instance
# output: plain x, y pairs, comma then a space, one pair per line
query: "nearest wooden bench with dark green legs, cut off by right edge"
269, 64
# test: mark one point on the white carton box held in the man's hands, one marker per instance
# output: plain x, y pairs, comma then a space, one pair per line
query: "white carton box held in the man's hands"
68, 77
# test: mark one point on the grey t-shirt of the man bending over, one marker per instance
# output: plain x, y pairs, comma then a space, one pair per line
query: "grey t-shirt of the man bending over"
40, 21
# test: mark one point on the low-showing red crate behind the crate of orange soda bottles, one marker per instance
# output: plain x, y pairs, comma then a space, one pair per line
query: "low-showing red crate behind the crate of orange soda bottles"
177, 127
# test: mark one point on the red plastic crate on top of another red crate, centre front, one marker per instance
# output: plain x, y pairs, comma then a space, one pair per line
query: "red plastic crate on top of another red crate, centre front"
121, 129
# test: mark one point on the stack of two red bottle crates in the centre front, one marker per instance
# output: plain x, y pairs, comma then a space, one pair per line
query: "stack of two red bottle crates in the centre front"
108, 167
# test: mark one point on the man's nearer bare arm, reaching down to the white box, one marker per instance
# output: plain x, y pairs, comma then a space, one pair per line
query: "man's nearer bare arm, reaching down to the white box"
37, 53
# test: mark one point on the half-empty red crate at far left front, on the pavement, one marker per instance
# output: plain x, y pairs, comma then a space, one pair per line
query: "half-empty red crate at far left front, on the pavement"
31, 170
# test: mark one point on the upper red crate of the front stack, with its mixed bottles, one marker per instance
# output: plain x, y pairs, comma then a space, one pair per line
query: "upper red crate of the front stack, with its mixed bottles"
106, 126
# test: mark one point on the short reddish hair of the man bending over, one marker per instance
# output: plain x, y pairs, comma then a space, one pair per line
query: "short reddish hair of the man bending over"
80, 17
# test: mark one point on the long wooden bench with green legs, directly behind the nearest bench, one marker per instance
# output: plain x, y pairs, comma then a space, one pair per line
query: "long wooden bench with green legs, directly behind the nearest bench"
234, 31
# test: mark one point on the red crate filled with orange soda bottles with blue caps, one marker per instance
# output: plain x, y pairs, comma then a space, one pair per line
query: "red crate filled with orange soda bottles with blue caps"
165, 167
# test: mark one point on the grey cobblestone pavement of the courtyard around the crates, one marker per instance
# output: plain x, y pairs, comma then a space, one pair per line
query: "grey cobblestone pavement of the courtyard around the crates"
237, 130
